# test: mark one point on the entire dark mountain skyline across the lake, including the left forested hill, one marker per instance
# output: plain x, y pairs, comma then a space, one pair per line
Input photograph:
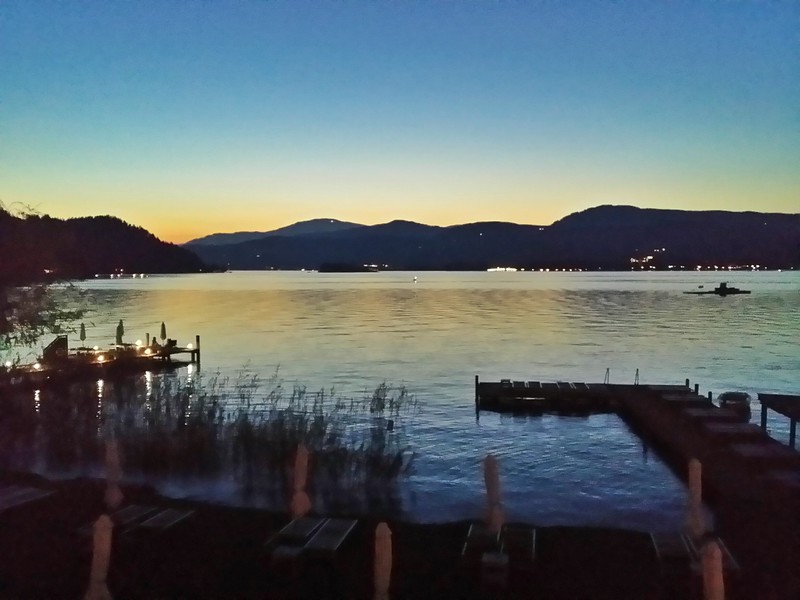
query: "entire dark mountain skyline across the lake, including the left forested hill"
37, 248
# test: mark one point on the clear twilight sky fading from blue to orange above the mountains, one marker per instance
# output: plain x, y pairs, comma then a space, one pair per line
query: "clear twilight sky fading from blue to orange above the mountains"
195, 117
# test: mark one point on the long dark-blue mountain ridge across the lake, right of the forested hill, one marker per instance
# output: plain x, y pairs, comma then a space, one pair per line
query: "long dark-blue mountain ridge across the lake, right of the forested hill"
605, 237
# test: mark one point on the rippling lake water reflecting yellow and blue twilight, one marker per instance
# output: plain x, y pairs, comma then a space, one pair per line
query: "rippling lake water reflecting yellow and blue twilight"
433, 335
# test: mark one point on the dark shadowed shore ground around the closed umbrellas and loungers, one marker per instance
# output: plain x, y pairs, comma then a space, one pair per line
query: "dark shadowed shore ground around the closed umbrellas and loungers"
219, 553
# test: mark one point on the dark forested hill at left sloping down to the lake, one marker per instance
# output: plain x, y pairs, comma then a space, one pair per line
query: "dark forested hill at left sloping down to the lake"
35, 248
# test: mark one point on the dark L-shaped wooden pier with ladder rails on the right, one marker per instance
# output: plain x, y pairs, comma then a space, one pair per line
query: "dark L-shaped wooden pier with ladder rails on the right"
751, 480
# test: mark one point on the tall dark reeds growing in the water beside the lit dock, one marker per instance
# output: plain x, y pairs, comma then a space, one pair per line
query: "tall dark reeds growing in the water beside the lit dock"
243, 430
